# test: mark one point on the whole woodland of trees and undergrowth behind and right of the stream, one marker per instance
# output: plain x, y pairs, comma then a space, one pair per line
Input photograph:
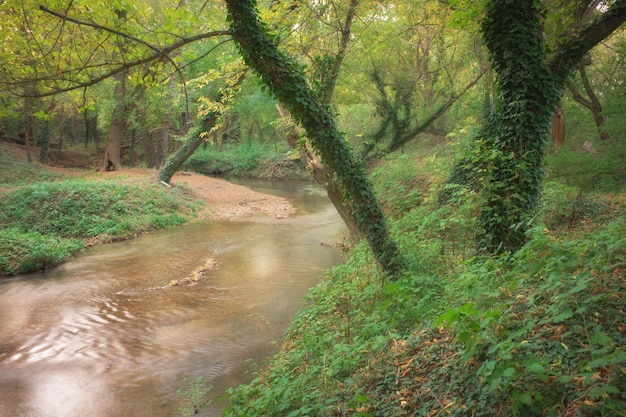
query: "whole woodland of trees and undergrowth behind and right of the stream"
475, 126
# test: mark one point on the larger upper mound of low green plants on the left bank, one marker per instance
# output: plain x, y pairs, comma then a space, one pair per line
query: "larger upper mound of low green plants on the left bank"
87, 208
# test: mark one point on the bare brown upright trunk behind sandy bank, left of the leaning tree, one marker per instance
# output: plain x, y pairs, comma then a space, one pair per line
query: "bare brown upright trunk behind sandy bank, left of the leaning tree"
113, 148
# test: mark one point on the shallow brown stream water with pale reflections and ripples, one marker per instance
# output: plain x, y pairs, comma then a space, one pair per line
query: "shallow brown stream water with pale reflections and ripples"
91, 338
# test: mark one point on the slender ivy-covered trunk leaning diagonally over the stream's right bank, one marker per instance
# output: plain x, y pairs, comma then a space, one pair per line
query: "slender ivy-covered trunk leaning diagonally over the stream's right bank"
286, 81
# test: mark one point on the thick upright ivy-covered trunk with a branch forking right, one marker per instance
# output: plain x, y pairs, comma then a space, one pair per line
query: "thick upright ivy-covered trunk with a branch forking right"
505, 160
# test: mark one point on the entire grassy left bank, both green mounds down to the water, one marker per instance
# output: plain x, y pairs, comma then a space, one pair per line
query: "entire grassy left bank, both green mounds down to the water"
44, 223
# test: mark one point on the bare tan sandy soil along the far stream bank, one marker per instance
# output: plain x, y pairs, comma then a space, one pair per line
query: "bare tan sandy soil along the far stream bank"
222, 199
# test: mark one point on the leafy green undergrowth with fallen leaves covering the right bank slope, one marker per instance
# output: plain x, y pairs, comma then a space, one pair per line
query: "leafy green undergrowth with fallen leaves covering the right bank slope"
537, 333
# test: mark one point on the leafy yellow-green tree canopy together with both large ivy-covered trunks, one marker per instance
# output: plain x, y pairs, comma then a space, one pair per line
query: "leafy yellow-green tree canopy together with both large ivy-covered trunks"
363, 78
